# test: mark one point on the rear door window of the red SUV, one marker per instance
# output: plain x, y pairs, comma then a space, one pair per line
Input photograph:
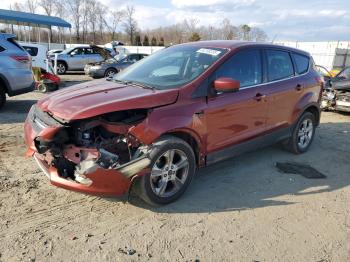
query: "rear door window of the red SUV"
279, 65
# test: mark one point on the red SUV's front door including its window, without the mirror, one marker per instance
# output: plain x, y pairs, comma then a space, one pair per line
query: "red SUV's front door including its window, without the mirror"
233, 118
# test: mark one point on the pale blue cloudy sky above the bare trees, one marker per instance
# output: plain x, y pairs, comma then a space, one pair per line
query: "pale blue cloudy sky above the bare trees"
297, 20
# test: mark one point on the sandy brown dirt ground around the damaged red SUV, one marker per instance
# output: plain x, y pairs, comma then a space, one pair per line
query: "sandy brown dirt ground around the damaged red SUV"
238, 210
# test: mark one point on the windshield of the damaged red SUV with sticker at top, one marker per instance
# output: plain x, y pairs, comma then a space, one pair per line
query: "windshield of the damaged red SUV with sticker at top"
171, 67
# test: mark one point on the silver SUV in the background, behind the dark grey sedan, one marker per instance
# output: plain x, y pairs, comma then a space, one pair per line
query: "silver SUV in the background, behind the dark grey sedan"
75, 58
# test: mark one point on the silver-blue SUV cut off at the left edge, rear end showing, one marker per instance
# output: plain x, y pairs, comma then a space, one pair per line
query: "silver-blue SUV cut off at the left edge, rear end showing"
16, 75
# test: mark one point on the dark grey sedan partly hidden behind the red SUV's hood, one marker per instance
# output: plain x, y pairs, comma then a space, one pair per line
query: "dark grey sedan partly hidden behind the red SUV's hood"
110, 67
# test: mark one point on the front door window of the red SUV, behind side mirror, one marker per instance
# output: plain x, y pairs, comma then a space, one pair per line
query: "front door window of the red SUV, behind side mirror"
244, 66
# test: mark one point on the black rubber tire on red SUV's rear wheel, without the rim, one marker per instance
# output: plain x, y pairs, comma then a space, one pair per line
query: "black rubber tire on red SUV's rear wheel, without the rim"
293, 143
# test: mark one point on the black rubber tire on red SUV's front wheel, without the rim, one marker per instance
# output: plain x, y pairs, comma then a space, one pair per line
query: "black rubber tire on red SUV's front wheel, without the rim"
143, 184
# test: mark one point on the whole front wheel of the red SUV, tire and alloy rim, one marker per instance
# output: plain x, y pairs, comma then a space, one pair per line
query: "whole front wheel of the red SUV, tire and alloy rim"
165, 185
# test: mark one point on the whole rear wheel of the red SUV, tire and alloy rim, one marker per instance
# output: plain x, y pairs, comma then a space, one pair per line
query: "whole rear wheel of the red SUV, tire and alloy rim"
304, 130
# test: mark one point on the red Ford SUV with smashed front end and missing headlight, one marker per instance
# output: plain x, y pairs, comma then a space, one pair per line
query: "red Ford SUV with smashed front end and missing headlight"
187, 106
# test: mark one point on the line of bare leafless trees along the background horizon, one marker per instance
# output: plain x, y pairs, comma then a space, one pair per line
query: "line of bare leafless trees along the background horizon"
96, 23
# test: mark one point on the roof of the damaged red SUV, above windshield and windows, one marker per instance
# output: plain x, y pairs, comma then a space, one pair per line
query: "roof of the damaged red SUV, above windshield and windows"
236, 44
